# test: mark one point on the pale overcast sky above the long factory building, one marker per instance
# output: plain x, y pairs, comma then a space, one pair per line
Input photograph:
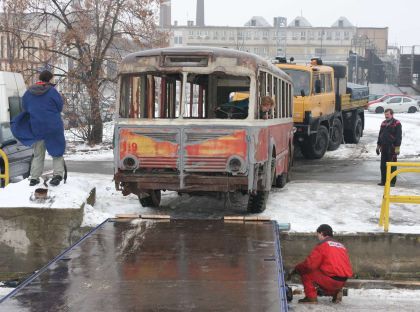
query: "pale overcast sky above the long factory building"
401, 17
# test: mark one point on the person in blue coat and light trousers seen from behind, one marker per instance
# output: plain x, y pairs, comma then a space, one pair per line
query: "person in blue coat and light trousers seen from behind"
40, 125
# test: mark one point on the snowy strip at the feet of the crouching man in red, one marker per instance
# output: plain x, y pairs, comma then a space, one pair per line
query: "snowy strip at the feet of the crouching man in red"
378, 300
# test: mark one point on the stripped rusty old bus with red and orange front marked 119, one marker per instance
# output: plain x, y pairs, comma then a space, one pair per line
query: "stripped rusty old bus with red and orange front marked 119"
179, 128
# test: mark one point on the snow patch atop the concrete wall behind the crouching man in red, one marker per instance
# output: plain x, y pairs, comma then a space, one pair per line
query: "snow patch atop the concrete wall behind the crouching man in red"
349, 207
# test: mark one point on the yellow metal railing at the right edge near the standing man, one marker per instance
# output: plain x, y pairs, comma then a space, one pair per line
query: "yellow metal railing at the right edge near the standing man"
388, 198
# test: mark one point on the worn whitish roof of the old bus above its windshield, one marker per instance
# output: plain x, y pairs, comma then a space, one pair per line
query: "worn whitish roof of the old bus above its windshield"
243, 59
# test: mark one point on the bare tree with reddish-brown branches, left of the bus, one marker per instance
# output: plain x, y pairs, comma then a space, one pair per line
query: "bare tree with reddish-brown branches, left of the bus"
85, 32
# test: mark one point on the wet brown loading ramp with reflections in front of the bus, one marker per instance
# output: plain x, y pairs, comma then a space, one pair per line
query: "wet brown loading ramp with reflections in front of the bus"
162, 265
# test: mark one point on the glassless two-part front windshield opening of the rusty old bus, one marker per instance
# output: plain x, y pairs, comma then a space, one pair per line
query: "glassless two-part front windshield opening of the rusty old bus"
164, 95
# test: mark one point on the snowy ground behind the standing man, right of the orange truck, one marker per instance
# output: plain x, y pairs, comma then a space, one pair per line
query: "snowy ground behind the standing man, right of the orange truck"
410, 148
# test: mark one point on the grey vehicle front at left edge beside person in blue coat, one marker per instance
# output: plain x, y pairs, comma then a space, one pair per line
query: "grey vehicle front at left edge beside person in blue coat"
19, 156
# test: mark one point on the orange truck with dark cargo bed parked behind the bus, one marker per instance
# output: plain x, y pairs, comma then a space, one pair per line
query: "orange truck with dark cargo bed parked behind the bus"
327, 110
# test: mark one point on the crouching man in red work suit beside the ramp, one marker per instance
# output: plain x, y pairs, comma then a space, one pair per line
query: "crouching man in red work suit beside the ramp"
328, 266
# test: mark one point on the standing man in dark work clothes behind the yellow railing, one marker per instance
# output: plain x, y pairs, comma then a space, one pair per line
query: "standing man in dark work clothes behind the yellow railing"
389, 142
